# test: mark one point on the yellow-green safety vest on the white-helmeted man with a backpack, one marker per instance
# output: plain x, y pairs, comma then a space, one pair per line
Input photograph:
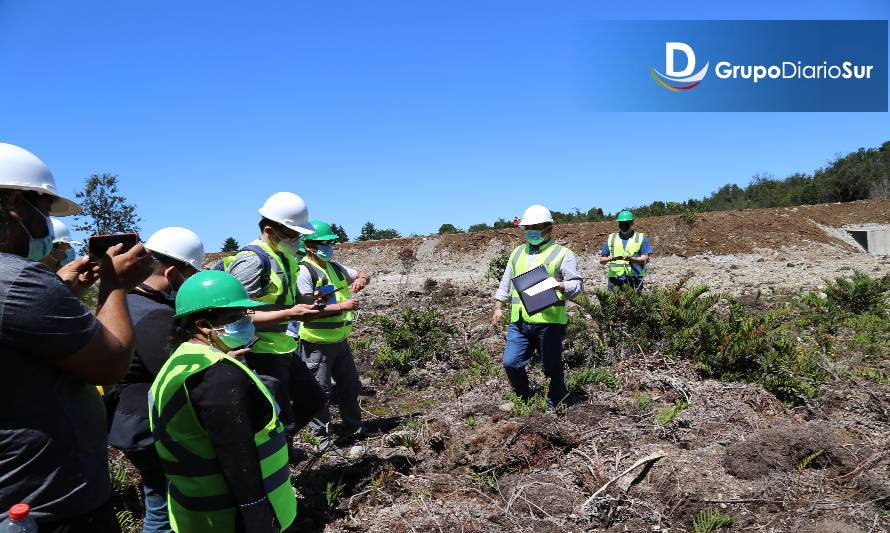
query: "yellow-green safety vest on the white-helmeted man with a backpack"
278, 295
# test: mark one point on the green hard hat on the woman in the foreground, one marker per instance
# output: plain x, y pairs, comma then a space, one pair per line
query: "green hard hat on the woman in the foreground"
211, 289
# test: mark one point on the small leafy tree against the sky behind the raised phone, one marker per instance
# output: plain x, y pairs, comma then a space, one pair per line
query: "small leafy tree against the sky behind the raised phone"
105, 210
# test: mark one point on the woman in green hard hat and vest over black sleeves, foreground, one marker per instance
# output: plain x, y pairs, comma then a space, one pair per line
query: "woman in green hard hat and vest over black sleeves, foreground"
215, 424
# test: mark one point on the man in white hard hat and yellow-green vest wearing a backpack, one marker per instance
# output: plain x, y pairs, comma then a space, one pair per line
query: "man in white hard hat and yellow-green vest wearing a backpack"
268, 268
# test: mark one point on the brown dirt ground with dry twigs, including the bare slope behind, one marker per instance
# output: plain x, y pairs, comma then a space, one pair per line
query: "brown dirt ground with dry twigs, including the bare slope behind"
441, 455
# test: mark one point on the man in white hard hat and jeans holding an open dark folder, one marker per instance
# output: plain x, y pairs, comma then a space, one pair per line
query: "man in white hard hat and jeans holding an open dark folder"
543, 331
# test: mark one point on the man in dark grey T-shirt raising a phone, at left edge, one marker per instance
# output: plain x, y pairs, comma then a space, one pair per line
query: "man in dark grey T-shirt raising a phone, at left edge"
55, 351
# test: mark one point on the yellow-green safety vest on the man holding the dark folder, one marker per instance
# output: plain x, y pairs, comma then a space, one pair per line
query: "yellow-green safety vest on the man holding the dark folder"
550, 255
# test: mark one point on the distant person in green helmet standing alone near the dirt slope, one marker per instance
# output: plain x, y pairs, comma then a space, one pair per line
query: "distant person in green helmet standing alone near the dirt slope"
625, 254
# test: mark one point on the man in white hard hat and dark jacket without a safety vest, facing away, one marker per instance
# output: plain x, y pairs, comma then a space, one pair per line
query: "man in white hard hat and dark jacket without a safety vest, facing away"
178, 254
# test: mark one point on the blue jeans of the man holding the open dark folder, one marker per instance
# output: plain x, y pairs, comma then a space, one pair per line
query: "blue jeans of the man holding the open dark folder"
523, 339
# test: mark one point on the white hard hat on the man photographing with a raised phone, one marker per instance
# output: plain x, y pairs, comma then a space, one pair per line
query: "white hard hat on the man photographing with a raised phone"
21, 170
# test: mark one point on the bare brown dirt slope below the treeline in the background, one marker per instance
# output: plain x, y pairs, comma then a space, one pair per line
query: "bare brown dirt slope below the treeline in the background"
737, 251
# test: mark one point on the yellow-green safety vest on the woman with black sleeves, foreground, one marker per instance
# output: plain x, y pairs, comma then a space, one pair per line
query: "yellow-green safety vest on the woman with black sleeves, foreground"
198, 497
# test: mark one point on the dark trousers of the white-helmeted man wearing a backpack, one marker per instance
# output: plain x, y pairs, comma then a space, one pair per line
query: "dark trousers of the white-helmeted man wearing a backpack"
293, 386
